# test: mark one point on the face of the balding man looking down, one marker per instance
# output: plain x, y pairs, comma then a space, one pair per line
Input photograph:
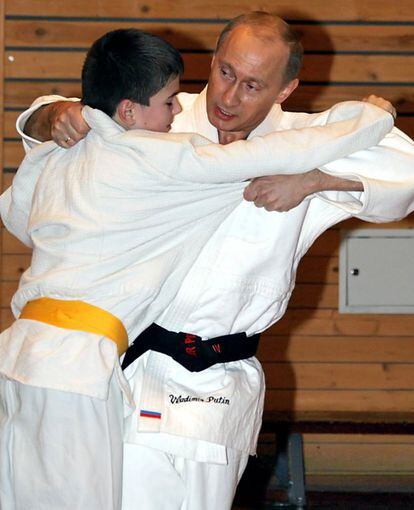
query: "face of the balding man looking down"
246, 79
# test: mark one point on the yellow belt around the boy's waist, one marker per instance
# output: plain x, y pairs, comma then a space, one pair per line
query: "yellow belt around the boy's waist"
79, 316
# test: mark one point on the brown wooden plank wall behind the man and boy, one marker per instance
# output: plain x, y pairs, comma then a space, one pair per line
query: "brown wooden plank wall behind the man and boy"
315, 358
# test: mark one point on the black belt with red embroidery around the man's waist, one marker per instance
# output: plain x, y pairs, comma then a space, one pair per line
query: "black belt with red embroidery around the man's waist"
191, 351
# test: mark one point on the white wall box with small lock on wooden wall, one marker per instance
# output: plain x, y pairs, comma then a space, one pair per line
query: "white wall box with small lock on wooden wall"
376, 271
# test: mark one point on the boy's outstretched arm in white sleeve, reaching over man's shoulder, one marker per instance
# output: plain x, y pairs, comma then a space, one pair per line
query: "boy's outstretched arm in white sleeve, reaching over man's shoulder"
348, 127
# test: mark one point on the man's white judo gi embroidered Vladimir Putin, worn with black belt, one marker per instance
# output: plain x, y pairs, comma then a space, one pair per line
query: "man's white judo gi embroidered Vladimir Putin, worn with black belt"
189, 439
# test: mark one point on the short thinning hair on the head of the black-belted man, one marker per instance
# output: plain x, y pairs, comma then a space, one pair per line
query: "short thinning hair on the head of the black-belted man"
257, 20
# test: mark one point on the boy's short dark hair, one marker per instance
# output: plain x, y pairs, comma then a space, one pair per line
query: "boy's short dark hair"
127, 64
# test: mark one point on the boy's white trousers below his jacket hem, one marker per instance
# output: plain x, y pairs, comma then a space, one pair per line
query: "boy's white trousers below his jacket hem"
59, 450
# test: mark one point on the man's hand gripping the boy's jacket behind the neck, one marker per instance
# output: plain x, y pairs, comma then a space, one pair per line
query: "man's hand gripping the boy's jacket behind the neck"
67, 126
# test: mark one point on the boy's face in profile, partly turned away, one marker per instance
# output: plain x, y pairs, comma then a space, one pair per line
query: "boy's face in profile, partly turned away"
158, 116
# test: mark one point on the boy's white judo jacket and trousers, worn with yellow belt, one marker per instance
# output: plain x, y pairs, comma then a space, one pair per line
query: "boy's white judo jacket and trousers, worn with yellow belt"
116, 222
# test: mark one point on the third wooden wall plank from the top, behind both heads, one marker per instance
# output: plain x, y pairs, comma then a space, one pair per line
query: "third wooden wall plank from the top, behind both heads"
343, 68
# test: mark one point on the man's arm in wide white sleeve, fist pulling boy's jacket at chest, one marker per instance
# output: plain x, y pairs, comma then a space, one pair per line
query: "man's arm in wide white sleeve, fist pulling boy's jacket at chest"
386, 173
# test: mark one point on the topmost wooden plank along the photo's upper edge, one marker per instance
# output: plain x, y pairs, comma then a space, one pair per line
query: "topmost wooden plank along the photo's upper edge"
367, 10
